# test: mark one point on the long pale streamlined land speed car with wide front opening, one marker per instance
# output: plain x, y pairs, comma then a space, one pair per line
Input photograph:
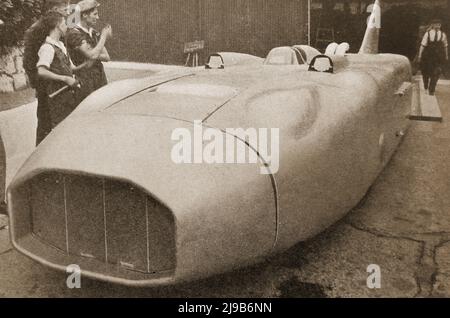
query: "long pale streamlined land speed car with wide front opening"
103, 192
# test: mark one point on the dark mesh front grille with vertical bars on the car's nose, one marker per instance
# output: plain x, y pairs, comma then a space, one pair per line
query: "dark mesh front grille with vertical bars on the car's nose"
108, 220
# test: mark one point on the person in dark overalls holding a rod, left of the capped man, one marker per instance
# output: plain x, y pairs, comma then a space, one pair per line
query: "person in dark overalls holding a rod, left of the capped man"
49, 69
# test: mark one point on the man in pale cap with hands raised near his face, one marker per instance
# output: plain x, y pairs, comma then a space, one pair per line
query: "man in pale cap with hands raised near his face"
86, 44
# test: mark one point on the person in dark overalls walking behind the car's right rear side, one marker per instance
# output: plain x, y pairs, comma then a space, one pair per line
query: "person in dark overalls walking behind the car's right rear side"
433, 54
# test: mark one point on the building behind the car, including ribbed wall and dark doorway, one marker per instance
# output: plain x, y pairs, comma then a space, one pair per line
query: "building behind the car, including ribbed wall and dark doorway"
156, 30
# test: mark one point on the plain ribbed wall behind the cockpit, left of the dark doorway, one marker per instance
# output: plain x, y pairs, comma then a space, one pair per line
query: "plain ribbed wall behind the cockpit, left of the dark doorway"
156, 30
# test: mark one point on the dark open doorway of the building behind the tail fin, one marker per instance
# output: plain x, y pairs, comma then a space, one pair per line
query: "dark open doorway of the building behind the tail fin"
401, 22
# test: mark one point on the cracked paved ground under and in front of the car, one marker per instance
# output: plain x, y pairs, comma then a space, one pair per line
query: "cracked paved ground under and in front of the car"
402, 225
